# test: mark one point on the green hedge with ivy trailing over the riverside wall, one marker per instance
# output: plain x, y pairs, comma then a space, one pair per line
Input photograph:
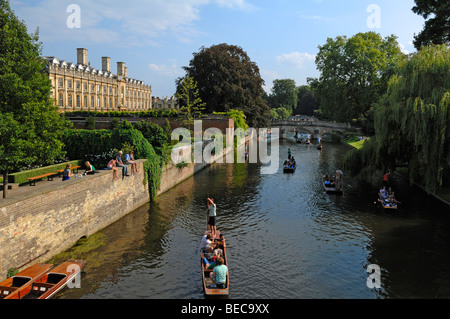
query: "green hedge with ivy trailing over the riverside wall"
98, 146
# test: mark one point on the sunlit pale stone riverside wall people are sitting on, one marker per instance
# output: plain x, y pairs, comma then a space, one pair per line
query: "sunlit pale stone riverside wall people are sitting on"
40, 223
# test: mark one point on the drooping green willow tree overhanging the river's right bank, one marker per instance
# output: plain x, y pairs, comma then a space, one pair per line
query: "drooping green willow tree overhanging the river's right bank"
412, 121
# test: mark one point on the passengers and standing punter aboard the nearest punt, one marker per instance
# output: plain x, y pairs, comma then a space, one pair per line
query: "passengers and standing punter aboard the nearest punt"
213, 254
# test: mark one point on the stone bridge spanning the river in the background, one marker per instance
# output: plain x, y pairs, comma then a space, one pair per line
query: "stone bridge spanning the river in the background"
315, 128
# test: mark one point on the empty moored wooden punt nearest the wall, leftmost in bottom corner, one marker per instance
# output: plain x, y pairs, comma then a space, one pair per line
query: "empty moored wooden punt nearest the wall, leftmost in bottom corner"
16, 284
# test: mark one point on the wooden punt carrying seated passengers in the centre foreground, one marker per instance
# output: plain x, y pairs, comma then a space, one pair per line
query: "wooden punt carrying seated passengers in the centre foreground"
208, 284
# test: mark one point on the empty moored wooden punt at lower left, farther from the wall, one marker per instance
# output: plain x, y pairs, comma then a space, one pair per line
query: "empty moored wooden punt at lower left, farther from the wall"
51, 282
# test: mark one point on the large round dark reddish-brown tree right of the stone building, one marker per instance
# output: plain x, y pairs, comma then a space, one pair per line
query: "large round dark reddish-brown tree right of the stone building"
227, 79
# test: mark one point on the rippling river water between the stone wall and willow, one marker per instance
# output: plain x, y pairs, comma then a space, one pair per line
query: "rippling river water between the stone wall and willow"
286, 238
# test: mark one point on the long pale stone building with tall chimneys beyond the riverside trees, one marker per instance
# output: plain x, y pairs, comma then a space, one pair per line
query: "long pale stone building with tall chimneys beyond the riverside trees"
79, 86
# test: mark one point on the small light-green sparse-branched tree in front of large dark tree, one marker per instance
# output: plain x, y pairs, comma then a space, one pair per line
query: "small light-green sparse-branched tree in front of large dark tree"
191, 104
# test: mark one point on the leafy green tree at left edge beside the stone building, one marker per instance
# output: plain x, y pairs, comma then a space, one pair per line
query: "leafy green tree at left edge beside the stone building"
25, 102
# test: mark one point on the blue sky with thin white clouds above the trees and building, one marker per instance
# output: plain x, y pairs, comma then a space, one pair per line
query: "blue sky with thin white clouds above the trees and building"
156, 38
